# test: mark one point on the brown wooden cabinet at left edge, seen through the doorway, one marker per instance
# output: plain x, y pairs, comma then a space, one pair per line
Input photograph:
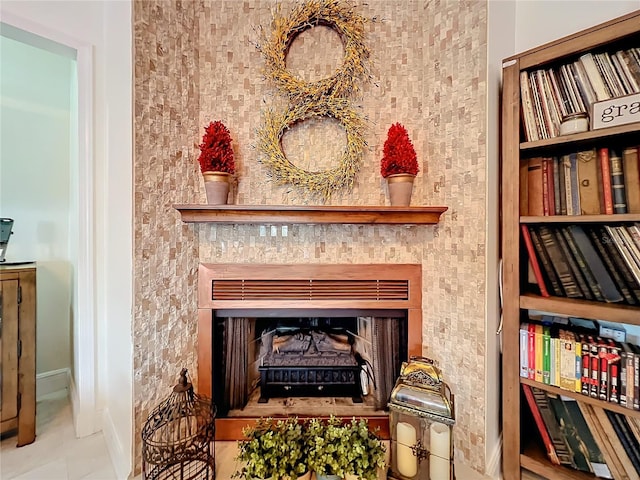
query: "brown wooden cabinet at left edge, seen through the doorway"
18, 351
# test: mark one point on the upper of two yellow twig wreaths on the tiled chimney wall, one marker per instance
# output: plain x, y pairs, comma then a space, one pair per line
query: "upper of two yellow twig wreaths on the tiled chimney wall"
334, 14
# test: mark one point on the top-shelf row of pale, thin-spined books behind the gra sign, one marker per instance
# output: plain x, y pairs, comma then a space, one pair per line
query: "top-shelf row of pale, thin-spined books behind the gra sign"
550, 95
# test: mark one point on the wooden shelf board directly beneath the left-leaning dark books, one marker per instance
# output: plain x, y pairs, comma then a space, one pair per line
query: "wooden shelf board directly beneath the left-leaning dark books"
613, 312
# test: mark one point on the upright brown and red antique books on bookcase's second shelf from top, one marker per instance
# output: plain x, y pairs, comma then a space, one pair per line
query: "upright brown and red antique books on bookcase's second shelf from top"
587, 182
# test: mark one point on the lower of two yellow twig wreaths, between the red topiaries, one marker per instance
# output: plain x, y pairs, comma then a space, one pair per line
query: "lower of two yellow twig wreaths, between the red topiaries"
320, 183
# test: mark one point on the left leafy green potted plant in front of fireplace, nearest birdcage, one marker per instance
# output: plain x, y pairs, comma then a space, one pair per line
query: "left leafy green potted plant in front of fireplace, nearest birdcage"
273, 449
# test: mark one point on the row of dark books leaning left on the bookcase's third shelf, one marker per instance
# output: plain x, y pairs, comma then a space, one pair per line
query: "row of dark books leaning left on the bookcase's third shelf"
592, 262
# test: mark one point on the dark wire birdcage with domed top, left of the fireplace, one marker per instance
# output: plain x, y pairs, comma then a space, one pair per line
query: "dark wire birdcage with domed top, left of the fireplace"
178, 436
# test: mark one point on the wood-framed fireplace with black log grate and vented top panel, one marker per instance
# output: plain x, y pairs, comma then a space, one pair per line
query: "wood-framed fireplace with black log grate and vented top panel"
272, 338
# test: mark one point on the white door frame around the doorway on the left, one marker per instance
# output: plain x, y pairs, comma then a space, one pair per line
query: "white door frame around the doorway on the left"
83, 377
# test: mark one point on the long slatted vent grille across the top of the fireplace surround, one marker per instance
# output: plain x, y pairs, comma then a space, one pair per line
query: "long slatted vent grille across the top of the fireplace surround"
310, 290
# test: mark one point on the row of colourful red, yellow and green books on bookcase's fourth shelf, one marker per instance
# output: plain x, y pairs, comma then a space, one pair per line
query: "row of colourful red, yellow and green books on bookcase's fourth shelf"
569, 353
